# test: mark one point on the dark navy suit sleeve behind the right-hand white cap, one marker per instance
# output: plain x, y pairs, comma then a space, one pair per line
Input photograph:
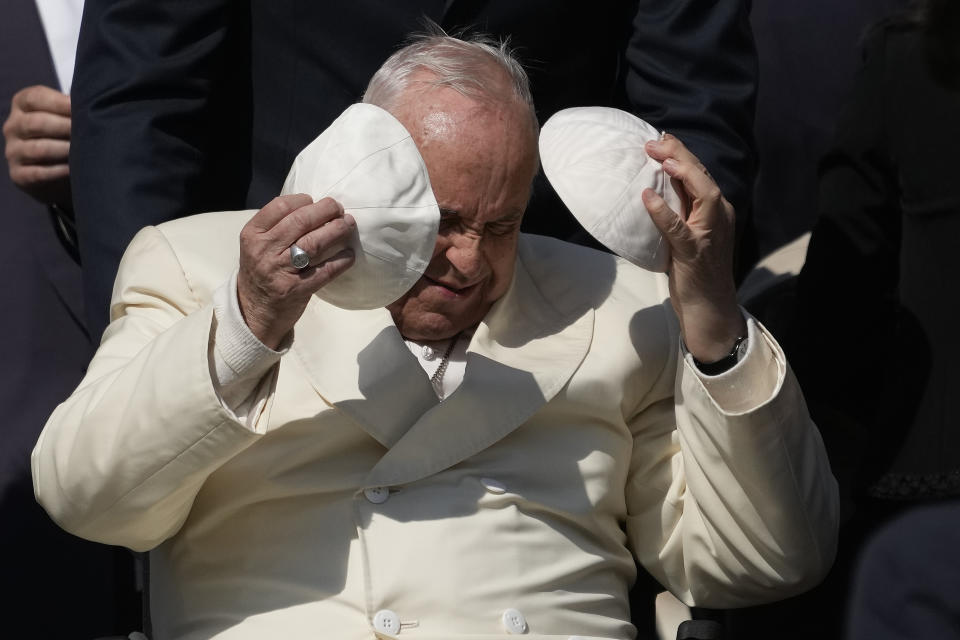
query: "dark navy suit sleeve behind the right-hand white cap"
692, 71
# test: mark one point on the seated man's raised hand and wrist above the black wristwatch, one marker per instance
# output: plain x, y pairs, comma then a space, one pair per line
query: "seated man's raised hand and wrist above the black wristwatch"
701, 239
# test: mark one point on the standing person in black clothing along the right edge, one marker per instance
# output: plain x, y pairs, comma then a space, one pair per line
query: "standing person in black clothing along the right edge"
883, 261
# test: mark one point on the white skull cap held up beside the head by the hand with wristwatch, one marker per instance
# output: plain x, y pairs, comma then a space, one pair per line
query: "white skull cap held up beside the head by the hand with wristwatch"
595, 160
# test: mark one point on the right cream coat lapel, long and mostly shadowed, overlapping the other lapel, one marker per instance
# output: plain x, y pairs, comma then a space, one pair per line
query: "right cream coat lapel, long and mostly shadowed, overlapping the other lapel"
520, 357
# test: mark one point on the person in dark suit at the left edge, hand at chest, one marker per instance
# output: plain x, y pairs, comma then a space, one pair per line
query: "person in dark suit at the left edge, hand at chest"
56, 585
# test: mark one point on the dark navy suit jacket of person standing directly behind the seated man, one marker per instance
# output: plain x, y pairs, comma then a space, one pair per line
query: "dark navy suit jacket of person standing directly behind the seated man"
194, 106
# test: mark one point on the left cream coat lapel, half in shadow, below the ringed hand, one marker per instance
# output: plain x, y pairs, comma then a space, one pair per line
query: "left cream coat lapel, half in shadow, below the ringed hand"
358, 362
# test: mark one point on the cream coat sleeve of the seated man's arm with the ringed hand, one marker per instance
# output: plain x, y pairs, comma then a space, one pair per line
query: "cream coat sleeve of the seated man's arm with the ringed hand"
121, 460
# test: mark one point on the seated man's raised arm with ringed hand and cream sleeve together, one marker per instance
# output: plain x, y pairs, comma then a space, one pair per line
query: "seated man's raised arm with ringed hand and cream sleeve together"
122, 459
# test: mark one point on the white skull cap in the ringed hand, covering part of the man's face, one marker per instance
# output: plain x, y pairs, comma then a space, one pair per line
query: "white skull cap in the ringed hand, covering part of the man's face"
368, 162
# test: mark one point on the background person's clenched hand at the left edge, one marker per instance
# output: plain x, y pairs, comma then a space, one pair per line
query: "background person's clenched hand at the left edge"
37, 135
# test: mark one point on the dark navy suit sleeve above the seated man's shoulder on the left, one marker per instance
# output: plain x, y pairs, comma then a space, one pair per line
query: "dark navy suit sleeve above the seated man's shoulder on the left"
160, 124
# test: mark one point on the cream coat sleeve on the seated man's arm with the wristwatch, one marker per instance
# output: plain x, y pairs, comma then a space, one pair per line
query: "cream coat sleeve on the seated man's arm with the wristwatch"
731, 500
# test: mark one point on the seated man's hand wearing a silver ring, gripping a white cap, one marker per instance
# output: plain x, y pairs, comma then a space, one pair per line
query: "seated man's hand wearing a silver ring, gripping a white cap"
273, 293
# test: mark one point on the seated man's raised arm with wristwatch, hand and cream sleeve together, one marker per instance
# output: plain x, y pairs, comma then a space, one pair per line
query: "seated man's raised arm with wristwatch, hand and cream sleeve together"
751, 507
